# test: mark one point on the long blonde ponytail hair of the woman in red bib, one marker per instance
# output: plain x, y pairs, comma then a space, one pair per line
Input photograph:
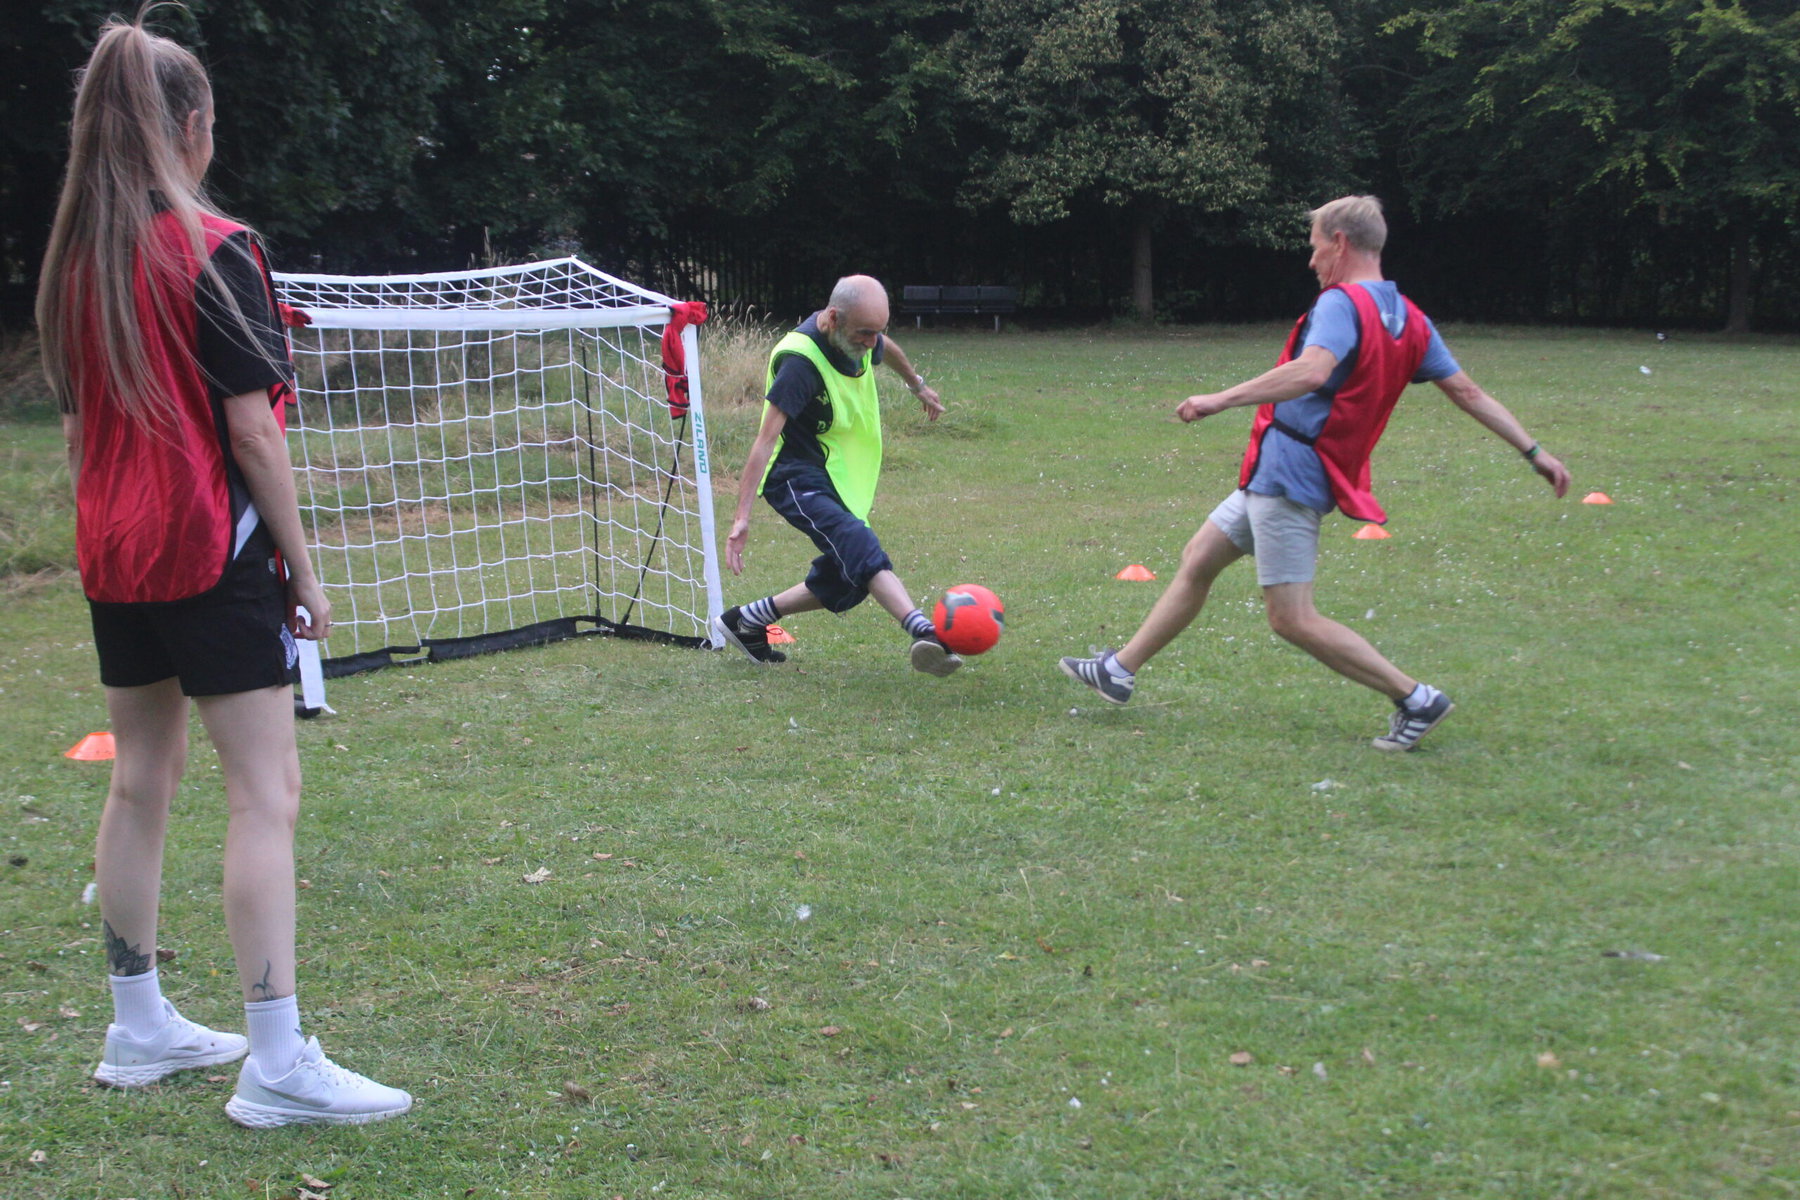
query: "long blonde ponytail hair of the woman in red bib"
130, 157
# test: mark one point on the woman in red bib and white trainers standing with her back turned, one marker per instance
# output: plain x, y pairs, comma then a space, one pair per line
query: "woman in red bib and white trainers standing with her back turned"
165, 345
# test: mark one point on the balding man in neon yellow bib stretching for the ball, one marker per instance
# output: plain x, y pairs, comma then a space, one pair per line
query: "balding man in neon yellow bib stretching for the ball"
816, 461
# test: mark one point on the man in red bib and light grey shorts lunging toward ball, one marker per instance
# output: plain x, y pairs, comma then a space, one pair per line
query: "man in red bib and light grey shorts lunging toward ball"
1320, 415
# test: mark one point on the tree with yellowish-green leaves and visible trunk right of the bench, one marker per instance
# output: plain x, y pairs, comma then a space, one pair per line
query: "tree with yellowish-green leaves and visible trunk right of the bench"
1155, 109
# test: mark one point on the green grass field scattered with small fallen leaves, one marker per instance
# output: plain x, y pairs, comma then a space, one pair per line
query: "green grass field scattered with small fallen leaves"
1020, 897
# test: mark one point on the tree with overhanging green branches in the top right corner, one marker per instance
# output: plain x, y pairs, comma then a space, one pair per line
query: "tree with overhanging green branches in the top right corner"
1680, 112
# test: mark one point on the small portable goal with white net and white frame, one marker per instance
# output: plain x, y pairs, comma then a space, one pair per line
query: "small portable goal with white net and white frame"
492, 460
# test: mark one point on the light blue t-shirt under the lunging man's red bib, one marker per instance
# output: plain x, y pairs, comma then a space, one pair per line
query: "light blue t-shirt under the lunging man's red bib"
1291, 469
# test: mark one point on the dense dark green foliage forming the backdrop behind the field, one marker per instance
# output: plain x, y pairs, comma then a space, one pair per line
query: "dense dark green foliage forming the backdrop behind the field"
1617, 161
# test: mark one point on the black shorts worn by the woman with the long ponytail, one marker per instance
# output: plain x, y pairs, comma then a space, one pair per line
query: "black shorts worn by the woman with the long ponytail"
229, 640
